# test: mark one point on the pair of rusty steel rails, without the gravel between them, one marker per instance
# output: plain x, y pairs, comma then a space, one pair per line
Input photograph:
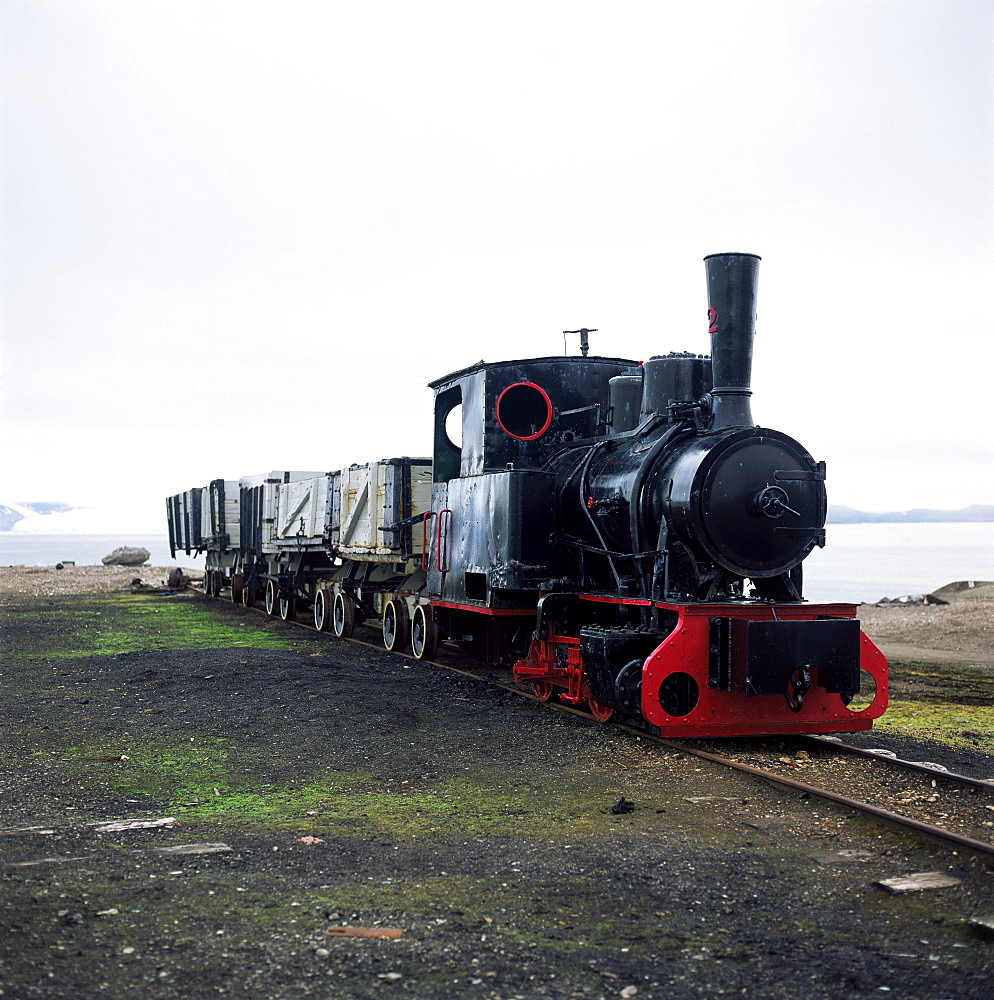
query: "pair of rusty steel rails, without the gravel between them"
946, 838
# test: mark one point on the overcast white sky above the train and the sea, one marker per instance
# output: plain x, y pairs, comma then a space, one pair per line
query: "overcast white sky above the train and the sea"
243, 236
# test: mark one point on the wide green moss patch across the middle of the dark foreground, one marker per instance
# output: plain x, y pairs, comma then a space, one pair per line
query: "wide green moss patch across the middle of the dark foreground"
218, 781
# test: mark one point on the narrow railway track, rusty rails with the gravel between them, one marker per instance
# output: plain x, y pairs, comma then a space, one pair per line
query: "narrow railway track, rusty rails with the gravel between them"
920, 798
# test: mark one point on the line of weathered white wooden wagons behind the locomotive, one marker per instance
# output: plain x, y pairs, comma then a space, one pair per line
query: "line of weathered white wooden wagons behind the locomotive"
351, 544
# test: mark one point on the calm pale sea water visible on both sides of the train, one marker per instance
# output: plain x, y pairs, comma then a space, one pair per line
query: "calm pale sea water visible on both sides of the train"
860, 562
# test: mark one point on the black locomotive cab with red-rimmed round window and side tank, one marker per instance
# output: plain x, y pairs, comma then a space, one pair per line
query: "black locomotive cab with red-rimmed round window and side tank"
497, 426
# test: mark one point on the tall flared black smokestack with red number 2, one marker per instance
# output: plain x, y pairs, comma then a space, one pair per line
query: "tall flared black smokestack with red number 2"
732, 280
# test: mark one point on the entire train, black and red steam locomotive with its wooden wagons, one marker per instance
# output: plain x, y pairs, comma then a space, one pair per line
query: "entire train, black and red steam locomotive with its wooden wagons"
621, 535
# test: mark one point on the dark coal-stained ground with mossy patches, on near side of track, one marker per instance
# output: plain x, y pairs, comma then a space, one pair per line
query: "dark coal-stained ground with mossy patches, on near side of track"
359, 789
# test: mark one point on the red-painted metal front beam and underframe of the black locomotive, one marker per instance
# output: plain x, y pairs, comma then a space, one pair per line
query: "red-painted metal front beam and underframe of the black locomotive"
716, 713
